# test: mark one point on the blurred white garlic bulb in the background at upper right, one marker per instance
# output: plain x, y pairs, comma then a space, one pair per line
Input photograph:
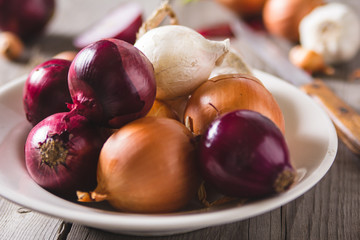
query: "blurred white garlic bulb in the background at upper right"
333, 31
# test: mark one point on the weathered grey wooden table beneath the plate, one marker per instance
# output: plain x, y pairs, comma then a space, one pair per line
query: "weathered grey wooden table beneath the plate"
330, 210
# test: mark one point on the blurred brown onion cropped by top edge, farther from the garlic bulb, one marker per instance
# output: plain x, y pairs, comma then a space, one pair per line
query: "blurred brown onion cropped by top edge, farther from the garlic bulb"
246, 8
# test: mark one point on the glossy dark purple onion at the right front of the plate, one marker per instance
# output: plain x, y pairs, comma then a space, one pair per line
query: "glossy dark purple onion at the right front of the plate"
243, 154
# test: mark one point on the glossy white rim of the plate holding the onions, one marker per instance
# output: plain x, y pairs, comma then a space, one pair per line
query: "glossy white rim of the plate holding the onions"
175, 223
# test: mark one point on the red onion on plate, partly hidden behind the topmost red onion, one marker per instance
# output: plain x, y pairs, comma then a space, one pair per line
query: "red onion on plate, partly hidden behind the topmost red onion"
46, 90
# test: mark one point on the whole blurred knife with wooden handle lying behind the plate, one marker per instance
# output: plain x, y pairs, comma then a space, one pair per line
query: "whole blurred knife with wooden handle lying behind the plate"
345, 119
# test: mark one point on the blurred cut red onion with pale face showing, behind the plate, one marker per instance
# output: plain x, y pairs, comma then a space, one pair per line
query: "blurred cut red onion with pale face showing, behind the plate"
122, 23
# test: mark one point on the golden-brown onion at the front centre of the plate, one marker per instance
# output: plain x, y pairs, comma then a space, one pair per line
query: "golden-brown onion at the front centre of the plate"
147, 166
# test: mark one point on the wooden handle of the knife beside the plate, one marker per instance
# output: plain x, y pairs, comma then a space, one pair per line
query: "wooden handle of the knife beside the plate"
345, 118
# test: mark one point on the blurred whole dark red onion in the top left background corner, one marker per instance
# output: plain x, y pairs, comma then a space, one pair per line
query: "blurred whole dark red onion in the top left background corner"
26, 18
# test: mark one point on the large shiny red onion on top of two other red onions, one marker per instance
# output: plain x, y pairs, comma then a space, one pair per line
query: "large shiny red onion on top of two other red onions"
112, 83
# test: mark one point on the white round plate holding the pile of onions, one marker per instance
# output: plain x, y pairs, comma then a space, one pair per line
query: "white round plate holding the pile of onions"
310, 135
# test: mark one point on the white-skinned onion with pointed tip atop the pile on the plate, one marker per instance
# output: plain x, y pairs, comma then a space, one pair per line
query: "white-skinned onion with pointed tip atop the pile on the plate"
182, 58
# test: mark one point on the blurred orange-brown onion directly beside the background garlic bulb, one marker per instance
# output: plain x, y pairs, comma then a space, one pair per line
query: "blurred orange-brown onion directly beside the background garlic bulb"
282, 17
